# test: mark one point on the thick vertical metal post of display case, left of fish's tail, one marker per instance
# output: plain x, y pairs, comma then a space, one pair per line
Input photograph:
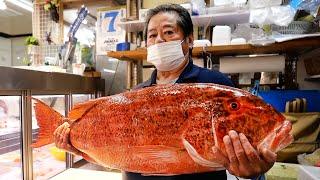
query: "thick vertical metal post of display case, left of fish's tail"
26, 134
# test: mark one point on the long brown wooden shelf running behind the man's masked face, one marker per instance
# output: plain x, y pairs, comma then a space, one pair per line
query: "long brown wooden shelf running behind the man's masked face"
293, 46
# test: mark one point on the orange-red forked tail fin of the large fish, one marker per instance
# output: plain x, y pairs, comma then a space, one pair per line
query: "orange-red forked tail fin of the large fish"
48, 121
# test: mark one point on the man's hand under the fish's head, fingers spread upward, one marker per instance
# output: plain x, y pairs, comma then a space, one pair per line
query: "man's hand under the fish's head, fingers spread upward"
243, 160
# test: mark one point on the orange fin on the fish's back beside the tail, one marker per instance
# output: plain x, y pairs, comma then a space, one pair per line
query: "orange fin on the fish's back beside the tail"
79, 110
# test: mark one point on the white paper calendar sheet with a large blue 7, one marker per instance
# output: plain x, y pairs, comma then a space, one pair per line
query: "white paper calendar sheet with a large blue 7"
109, 34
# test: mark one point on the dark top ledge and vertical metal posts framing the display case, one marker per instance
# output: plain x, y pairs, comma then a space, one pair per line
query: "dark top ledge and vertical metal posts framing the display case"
25, 83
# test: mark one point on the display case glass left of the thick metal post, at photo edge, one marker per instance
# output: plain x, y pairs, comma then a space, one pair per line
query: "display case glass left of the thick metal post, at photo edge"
10, 138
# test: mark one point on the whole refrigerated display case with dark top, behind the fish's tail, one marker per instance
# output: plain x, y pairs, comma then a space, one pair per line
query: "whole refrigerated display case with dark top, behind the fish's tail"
18, 126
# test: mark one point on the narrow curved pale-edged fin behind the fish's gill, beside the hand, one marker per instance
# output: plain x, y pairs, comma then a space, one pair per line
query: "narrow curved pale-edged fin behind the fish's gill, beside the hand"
196, 157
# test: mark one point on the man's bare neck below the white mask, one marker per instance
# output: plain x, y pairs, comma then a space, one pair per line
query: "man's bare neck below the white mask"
174, 74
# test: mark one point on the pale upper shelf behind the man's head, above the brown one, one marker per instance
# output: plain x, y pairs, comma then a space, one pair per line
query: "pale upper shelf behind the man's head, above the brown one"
237, 17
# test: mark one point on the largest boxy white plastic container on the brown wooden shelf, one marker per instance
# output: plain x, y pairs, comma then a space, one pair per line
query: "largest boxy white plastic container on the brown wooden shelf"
221, 35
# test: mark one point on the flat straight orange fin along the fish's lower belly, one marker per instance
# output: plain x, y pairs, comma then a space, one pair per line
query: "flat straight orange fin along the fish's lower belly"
157, 153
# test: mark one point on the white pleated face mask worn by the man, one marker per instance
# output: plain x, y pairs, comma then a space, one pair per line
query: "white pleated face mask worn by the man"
166, 56
